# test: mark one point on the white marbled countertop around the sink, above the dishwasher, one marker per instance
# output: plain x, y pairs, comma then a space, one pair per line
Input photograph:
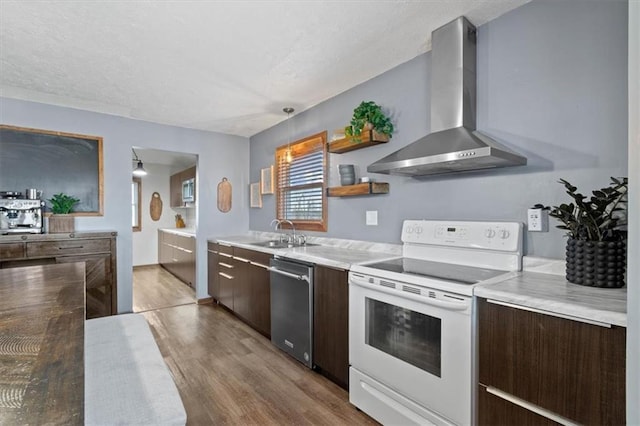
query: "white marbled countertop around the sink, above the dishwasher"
342, 254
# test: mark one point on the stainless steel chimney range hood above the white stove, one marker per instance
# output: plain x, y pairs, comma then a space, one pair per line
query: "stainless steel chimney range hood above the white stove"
454, 144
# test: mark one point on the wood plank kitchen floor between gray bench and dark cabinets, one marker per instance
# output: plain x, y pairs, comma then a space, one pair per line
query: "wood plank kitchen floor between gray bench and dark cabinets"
227, 373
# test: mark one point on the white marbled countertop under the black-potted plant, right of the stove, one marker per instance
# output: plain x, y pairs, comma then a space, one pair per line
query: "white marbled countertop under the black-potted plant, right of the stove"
552, 293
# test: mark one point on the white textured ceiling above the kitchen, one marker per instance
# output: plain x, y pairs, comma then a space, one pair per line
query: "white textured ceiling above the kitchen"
224, 66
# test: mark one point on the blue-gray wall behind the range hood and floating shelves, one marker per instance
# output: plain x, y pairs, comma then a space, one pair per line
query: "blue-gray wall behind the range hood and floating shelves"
552, 85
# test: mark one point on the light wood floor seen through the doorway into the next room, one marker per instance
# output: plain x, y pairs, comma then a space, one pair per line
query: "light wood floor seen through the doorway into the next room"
155, 288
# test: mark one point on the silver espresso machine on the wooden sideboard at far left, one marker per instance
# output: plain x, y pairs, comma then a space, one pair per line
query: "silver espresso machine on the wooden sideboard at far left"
19, 214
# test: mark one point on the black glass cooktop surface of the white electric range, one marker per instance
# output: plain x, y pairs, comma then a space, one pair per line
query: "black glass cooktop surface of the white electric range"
458, 274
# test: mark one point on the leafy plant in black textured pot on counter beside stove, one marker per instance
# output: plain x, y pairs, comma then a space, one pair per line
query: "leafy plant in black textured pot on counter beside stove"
597, 235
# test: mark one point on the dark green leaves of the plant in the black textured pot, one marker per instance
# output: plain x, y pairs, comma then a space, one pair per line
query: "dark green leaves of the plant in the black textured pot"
602, 217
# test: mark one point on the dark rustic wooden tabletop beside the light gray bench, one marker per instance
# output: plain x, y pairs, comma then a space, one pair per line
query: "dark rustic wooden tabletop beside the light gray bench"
42, 310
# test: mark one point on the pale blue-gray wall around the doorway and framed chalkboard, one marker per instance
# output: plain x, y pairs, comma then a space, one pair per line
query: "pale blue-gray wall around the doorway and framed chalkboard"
218, 156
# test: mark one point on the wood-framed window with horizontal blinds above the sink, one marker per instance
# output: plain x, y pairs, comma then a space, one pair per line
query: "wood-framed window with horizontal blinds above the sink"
301, 183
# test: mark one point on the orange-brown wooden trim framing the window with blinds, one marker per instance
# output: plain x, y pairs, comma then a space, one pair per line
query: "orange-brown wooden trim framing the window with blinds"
298, 148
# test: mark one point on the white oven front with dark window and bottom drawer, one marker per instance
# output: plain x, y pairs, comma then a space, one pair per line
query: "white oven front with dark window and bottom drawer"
410, 352
